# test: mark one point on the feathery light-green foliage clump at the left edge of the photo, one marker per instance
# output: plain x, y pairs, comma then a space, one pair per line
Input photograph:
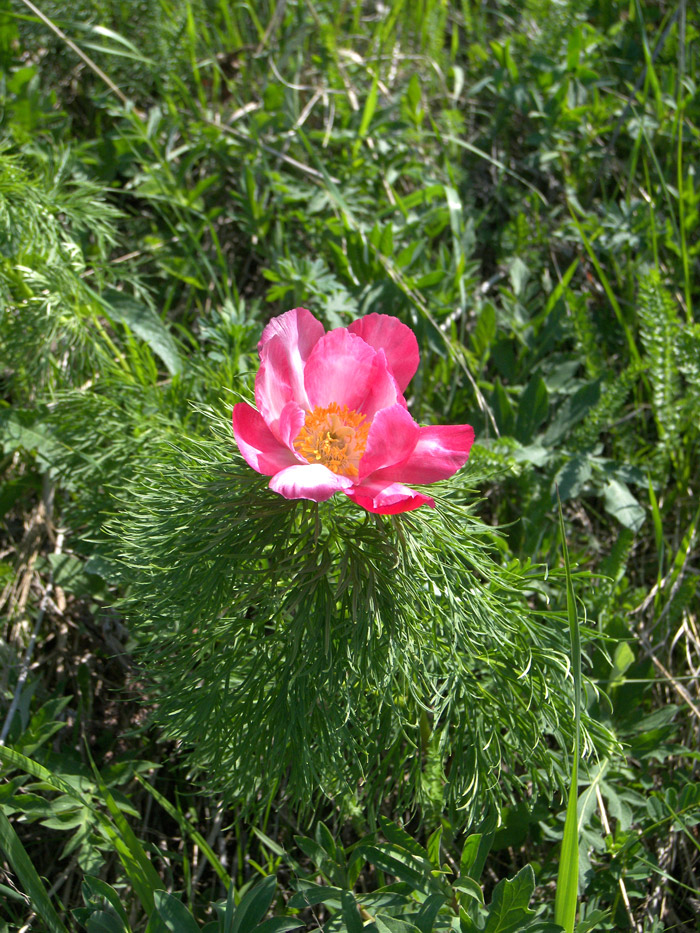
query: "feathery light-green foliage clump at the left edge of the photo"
56, 233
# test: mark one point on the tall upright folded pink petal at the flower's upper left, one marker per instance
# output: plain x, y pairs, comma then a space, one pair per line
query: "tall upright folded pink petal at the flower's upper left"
284, 348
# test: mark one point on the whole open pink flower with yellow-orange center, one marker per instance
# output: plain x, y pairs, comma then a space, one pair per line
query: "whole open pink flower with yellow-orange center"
331, 415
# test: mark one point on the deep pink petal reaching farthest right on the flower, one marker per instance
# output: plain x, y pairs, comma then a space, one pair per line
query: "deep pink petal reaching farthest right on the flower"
440, 451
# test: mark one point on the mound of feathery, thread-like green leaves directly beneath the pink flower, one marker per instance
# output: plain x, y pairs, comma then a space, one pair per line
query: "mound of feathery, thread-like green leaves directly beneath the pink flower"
326, 651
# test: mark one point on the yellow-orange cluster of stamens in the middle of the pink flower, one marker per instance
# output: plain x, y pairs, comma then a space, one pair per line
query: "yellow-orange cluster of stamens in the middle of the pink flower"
334, 436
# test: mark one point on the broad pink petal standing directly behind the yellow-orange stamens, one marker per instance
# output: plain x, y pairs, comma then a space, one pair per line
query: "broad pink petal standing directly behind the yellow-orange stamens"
342, 368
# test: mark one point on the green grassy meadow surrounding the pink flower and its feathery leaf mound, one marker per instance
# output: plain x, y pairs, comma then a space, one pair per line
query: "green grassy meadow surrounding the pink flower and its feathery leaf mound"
518, 182
